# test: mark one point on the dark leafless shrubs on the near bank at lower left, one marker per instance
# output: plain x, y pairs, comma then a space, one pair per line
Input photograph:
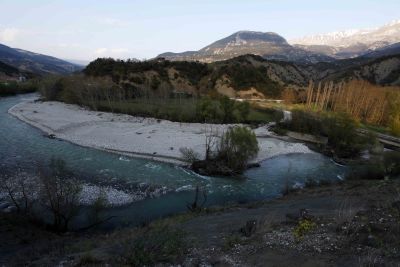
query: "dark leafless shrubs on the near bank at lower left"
54, 191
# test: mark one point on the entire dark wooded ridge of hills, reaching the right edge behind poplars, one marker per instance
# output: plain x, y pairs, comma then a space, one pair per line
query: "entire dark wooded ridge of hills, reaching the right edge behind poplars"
246, 76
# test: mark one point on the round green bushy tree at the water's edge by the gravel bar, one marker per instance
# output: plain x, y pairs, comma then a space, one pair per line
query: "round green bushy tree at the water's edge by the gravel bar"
237, 146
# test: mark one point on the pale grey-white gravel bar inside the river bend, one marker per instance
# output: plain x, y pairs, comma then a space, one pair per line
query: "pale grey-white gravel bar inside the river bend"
148, 138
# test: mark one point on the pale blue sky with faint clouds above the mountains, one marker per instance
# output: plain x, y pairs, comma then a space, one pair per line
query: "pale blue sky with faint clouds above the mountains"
88, 29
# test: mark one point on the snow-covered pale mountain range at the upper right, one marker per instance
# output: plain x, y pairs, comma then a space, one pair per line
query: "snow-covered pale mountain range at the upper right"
351, 43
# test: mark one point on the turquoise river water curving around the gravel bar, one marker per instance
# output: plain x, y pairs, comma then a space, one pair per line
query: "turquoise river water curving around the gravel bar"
26, 147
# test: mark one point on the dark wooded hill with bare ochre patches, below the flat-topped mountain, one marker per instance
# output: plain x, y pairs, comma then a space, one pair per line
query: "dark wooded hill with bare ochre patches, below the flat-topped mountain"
246, 76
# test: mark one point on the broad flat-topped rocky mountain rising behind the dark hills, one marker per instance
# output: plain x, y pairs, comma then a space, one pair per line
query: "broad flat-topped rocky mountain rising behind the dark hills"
269, 45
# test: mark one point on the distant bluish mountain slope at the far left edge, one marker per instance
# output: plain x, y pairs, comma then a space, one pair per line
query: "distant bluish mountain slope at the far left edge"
36, 63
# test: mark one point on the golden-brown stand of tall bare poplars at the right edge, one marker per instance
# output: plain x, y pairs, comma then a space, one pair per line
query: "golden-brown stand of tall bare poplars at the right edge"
364, 102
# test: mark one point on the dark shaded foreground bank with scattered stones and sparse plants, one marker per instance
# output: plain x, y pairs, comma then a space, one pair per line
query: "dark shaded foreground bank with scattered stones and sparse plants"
354, 223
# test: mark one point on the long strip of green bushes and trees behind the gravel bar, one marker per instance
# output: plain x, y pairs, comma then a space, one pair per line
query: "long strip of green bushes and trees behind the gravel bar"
104, 95
